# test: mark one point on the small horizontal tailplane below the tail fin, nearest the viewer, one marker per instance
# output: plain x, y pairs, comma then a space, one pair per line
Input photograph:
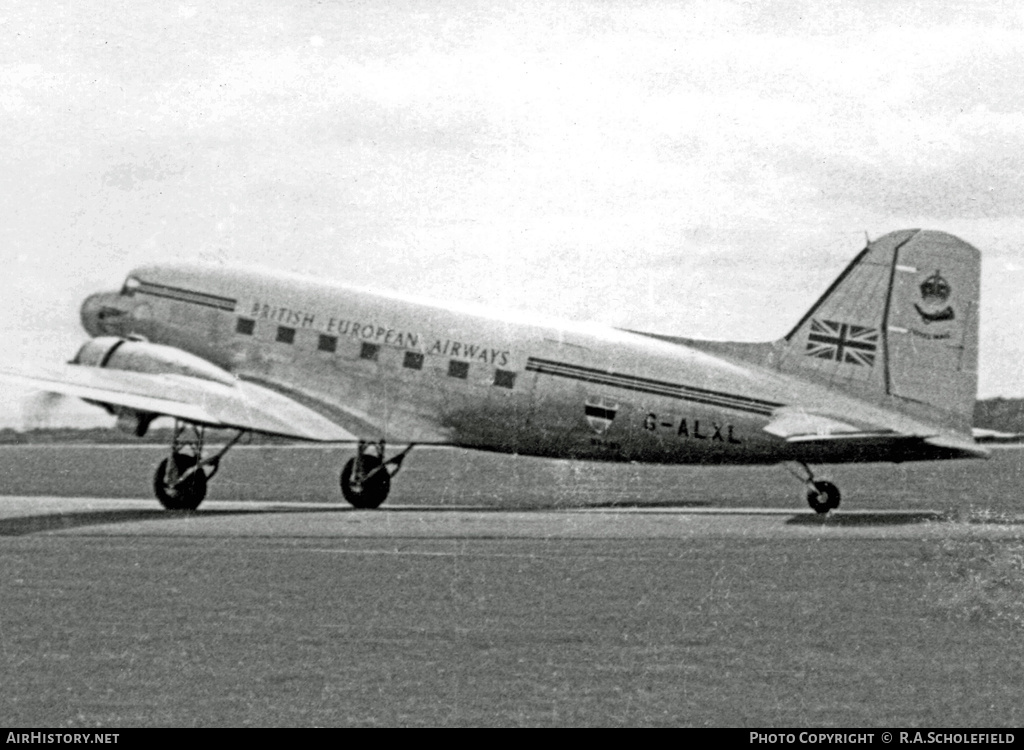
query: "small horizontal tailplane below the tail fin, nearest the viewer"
796, 426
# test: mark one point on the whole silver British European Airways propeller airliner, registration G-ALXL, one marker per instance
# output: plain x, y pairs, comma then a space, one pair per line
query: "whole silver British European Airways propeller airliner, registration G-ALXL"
882, 368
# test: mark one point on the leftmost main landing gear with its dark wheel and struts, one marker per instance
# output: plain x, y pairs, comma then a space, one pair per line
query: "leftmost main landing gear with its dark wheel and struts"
182, 479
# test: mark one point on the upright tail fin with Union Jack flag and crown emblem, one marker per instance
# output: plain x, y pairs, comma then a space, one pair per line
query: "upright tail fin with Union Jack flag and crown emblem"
900, 326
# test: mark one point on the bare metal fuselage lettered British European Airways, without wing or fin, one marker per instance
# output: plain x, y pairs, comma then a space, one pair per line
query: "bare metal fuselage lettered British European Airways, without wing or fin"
405, 371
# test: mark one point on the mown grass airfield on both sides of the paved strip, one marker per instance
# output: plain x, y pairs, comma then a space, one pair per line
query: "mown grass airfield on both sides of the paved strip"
141, 628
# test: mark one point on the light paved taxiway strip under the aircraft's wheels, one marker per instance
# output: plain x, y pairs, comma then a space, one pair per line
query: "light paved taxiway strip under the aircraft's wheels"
95, 517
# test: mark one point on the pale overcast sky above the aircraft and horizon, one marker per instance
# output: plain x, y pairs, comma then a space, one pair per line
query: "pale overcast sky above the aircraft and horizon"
693, 169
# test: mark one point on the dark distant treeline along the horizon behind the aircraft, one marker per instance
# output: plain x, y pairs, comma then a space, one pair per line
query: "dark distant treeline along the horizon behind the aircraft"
1006, 415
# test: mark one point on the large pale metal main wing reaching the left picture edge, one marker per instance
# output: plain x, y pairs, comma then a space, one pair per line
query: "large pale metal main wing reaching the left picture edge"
240, 406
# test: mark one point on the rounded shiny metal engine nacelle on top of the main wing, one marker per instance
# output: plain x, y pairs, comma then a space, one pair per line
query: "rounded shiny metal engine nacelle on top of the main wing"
119, 354
